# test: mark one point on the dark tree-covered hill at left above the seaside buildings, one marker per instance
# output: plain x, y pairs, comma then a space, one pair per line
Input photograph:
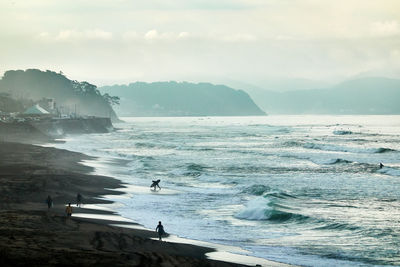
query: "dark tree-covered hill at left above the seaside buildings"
70, 95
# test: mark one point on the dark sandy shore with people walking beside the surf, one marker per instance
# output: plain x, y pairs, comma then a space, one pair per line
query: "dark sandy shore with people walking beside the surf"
35, 236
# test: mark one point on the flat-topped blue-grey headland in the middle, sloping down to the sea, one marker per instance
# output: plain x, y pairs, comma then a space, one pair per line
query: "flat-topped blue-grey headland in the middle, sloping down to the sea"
181, 99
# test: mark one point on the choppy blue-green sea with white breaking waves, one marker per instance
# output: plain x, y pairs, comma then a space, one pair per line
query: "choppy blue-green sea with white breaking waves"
305, 190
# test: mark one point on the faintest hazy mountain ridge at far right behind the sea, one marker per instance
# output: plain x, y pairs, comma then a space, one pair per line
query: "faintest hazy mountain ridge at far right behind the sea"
371, 95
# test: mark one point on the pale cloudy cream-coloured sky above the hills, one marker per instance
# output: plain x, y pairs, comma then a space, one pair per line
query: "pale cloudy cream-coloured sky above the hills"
249, 41
